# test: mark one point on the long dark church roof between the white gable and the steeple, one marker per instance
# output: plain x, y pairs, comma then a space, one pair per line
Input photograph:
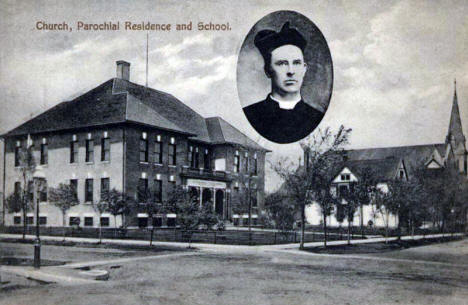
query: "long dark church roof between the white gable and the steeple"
414, 156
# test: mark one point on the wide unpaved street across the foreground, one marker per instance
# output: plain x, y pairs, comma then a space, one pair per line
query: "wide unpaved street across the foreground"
253, 275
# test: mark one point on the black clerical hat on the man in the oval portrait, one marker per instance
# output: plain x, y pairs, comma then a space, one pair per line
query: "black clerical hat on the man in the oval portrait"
268, 40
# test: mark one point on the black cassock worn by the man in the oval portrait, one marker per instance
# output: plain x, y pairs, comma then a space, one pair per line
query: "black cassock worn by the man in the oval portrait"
282, 125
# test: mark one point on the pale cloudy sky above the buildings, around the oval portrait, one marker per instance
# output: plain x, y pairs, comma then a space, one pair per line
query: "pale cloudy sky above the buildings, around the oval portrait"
394, 61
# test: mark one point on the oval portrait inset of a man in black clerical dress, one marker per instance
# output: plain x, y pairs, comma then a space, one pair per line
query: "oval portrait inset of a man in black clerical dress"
284, 76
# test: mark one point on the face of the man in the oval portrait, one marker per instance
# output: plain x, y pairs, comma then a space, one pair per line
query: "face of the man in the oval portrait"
287, 69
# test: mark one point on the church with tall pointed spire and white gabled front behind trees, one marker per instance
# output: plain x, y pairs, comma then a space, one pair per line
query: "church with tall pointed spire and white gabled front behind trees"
388, 163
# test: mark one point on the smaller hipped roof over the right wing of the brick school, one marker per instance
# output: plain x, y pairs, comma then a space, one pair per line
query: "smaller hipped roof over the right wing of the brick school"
221, 132
